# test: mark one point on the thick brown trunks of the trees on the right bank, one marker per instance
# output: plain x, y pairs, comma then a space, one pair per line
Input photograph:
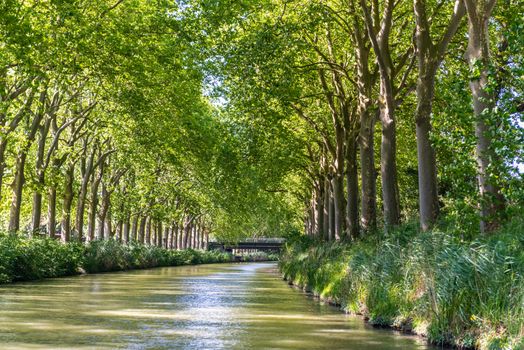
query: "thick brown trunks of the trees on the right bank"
334, 212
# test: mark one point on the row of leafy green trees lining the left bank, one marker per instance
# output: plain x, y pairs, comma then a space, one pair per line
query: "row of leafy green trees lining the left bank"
104, 129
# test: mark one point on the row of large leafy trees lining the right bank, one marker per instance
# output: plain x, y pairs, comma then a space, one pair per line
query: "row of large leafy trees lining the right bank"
382, 100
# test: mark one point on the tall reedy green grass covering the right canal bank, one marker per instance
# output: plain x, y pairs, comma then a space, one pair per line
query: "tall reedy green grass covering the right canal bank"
468, 294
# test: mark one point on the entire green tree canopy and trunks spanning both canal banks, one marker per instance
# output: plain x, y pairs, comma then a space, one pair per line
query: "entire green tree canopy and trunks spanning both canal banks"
163, 122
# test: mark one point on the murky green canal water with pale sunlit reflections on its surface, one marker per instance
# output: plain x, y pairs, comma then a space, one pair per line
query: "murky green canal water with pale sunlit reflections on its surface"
228, 306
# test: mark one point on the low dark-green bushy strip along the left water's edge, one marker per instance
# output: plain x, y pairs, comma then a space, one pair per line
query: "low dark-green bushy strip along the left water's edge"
26, 259
